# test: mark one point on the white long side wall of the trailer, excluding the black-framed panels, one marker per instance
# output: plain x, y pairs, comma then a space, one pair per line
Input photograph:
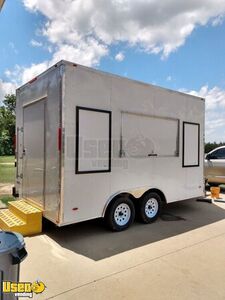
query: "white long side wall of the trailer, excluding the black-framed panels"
91, 192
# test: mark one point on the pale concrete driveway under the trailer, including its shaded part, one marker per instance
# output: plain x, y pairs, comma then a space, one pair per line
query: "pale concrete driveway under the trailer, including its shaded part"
181, 256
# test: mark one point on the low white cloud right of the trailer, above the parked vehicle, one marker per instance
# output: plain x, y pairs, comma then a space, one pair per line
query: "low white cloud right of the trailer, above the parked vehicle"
215, 112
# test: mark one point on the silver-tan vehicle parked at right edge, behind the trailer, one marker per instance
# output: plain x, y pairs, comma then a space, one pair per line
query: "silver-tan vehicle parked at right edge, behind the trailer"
215, 166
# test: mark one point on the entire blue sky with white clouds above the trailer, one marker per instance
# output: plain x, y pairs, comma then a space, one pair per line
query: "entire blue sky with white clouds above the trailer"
180, 47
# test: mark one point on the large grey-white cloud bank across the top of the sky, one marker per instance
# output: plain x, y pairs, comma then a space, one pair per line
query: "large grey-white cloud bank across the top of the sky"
152, 25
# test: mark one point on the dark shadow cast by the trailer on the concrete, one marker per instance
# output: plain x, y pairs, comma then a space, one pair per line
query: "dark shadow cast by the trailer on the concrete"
93, 240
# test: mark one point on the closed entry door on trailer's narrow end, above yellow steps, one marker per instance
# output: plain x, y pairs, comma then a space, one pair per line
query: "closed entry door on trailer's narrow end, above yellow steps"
34, 152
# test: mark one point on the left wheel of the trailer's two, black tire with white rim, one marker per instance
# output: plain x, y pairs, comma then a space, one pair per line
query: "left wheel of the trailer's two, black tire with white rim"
120, 214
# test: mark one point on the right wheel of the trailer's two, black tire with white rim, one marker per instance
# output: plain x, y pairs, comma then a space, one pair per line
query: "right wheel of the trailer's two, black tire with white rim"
153, 210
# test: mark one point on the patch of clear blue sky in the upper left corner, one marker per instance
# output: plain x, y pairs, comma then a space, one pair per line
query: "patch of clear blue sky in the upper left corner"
18, 28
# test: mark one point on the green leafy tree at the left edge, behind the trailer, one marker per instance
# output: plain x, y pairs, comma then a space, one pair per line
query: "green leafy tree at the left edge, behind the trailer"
7, 125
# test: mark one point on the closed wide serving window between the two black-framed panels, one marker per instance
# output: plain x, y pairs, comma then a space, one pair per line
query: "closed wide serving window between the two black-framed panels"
145, 135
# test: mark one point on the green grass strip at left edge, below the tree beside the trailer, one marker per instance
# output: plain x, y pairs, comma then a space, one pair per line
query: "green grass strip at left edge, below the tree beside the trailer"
7, 169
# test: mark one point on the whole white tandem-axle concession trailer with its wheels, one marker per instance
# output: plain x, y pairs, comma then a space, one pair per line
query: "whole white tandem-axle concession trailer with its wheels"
91, 144
